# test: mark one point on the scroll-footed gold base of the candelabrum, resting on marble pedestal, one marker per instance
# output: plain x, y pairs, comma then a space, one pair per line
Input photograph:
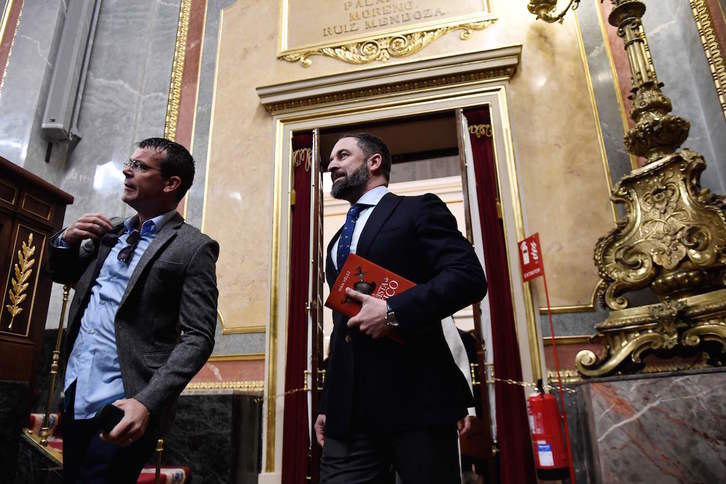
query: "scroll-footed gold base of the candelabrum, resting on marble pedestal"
680, 326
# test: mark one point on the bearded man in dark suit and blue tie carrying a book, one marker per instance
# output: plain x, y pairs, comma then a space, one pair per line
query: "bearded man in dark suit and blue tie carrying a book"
393, 393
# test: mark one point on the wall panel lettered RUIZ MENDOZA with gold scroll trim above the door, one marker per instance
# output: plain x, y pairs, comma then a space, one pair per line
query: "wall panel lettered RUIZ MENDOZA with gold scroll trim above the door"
361, 31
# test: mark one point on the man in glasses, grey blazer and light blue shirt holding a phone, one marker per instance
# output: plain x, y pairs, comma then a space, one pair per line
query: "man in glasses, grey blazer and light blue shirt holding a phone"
142, 320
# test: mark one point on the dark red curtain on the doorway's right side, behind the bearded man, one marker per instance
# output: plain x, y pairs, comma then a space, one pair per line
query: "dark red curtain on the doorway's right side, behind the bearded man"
516, 459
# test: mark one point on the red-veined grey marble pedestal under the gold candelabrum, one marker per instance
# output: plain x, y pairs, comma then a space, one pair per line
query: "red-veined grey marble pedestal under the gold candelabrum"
656, 428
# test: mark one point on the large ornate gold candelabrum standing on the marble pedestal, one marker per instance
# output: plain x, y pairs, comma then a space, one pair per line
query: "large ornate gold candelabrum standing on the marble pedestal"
672, 239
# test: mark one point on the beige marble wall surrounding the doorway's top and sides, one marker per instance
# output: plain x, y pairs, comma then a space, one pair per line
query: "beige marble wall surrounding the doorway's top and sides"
562, 178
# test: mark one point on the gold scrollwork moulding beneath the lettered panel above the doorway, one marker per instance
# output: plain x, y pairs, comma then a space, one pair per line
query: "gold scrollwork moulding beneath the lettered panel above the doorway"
383, 48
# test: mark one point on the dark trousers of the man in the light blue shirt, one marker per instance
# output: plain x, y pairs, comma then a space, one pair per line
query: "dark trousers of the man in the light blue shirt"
89, 460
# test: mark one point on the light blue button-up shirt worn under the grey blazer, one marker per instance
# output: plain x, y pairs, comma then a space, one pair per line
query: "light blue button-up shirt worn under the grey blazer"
93, 363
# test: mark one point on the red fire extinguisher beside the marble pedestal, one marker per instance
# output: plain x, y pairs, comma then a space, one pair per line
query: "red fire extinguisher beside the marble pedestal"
545, 425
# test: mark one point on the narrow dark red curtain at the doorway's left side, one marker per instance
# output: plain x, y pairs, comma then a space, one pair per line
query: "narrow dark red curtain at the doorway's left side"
296, 441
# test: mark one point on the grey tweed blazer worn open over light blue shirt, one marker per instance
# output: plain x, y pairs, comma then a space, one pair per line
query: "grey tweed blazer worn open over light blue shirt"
166, 320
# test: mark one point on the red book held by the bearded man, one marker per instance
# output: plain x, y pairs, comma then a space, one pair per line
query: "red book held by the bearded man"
366, 277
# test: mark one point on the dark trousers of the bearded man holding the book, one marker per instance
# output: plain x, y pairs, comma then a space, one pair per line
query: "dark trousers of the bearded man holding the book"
419, 456
